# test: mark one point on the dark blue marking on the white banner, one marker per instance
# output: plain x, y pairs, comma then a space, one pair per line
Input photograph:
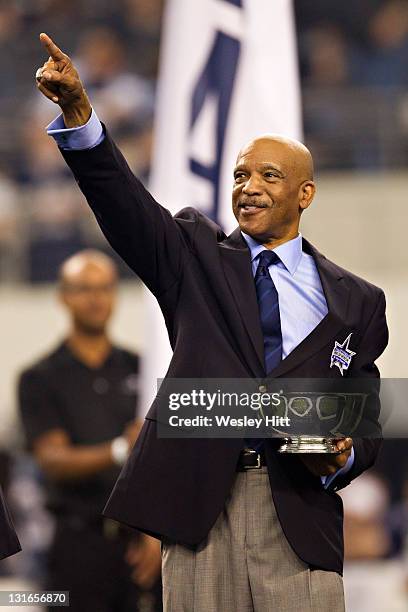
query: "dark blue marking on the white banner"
216, 80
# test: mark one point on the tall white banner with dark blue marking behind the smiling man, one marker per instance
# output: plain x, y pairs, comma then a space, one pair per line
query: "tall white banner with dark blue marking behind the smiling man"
228, 73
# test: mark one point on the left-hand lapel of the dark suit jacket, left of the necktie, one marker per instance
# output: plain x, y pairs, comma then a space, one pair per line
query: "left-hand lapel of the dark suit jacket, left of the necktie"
236, 262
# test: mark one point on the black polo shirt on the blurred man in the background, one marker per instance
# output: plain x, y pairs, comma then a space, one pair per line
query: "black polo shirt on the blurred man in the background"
92, 405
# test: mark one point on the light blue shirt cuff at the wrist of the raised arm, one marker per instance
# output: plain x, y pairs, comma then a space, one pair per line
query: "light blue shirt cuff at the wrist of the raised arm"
85, 136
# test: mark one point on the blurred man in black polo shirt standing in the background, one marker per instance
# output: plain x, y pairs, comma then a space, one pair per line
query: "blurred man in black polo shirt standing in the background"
78, 410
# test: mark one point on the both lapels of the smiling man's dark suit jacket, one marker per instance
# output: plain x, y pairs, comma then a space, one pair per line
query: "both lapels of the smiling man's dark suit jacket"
236, 261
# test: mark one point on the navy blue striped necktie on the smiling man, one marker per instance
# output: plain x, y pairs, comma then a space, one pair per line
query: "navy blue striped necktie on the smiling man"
268, 304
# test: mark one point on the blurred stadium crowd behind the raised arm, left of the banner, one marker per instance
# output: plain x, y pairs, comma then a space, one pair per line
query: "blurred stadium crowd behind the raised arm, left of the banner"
115, 46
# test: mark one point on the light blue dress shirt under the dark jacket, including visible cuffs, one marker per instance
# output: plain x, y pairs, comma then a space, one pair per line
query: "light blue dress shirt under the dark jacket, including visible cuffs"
302, 303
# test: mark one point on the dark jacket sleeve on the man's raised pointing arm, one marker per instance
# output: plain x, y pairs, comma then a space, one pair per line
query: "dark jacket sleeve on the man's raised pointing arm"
139, 229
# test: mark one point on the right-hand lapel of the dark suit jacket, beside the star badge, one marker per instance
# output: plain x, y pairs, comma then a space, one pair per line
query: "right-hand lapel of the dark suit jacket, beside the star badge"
337, 295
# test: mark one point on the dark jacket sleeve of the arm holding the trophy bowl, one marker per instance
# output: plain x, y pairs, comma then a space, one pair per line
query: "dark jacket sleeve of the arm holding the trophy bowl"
373, 343
